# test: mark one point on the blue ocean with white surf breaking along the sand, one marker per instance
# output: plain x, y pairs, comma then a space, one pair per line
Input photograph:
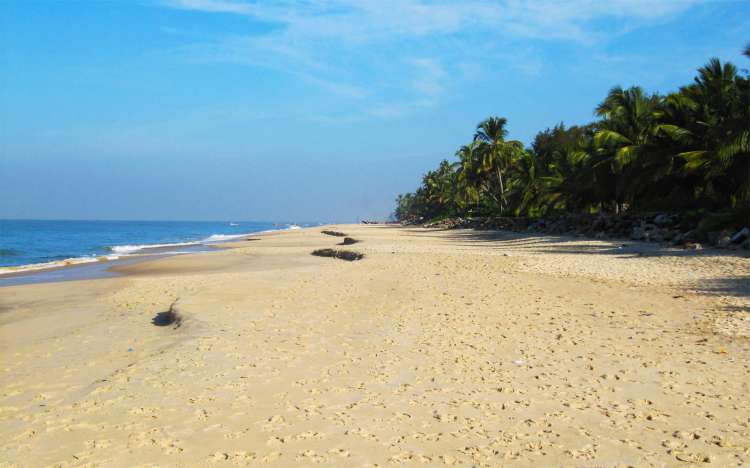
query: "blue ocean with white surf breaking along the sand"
32, 242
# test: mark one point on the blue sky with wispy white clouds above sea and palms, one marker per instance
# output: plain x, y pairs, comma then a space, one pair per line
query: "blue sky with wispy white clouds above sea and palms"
309, 109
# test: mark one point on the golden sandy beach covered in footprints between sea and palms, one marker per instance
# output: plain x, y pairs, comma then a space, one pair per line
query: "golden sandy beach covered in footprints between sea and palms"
450, 347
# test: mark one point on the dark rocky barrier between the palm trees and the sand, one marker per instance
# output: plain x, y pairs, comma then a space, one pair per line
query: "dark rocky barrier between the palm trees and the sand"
667, 228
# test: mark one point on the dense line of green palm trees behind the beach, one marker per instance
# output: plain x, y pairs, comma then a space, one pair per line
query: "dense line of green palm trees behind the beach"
689, 150
